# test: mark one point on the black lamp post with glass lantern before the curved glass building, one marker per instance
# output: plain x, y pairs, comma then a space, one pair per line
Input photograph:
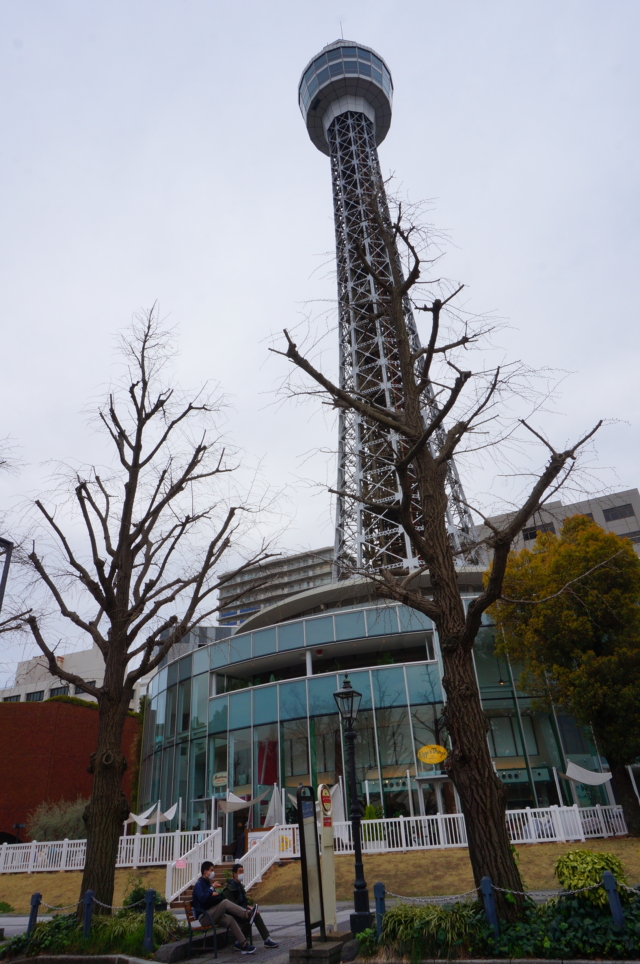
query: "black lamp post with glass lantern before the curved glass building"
348, 702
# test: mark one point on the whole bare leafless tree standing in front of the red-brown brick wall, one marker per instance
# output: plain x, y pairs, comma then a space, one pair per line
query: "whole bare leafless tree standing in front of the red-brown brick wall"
137, 568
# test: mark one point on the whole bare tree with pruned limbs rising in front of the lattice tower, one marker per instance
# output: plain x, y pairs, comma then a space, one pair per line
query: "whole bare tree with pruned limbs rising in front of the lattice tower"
470, 402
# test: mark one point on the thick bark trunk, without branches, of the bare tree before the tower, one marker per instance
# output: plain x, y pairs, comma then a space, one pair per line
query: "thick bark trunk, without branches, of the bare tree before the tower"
470, 767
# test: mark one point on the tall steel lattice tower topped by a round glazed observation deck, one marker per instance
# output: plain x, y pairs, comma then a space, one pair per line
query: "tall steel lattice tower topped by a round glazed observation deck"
345, 96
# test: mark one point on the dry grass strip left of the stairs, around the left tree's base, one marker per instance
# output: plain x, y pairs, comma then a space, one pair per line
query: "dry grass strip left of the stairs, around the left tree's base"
63, 888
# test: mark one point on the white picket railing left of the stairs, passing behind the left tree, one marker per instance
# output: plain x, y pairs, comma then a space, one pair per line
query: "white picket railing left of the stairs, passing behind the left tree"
137, 850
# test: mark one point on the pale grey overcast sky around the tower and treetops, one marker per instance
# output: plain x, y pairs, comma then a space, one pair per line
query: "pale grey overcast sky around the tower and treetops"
155, 151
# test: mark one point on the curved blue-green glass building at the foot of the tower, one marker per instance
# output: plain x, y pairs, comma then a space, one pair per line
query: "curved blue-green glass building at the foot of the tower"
256, 711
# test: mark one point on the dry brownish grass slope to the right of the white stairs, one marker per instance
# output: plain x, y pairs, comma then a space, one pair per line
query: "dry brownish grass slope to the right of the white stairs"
432, 872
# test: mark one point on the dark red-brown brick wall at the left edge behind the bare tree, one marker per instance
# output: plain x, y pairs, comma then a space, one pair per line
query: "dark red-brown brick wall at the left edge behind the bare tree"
44, 755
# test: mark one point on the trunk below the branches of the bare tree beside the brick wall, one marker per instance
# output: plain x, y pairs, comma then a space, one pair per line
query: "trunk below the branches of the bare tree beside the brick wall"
108, 808
